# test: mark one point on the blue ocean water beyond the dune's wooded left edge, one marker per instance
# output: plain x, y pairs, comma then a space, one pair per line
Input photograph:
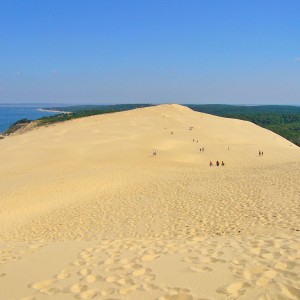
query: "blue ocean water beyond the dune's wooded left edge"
10, 113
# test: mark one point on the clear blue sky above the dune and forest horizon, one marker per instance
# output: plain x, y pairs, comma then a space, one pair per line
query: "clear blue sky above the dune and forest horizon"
157, 51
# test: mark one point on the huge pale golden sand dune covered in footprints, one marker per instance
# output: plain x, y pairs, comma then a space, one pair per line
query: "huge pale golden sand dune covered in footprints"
88, 213
